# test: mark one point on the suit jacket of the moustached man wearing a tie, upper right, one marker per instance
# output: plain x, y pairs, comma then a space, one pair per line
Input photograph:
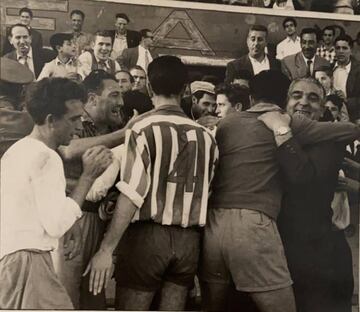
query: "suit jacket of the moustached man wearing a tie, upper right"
294, 66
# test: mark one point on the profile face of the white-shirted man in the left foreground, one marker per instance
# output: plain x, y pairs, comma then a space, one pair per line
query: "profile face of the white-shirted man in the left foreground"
70, 123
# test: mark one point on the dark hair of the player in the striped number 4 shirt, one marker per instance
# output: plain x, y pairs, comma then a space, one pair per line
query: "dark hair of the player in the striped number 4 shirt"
167, 75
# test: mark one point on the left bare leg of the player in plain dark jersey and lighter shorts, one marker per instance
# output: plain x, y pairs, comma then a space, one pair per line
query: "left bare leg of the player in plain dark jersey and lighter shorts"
214, 296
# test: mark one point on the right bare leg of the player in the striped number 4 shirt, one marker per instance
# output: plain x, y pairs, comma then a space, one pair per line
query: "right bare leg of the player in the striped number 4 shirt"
173, 297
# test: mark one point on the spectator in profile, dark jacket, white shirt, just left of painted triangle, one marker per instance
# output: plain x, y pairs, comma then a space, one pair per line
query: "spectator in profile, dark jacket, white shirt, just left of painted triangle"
140, 55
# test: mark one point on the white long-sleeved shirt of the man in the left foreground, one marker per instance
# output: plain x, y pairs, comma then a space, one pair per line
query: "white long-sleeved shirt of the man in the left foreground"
35, 211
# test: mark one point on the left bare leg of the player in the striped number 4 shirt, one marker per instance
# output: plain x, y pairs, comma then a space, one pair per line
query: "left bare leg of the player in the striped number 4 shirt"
133, 300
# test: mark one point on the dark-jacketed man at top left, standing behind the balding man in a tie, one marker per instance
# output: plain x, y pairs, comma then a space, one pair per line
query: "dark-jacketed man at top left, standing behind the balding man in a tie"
26, 16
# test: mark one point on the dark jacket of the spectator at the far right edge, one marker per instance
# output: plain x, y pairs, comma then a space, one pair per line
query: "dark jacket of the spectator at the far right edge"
353, 90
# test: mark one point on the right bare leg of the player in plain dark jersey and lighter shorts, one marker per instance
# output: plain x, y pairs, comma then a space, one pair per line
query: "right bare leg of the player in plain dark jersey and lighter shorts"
280, 300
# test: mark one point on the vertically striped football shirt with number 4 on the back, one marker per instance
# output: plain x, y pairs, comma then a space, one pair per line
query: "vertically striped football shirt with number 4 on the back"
168, 167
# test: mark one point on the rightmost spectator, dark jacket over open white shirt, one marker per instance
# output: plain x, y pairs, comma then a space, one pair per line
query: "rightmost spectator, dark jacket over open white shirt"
347, 75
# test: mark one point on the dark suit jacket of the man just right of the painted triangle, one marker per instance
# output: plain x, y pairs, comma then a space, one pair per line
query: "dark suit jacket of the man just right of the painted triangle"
244, 63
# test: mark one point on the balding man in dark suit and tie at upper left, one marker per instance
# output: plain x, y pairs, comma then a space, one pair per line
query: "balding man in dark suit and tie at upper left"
20, 38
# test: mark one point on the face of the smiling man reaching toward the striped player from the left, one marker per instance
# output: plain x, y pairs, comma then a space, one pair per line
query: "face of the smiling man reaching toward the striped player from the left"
109, 104
